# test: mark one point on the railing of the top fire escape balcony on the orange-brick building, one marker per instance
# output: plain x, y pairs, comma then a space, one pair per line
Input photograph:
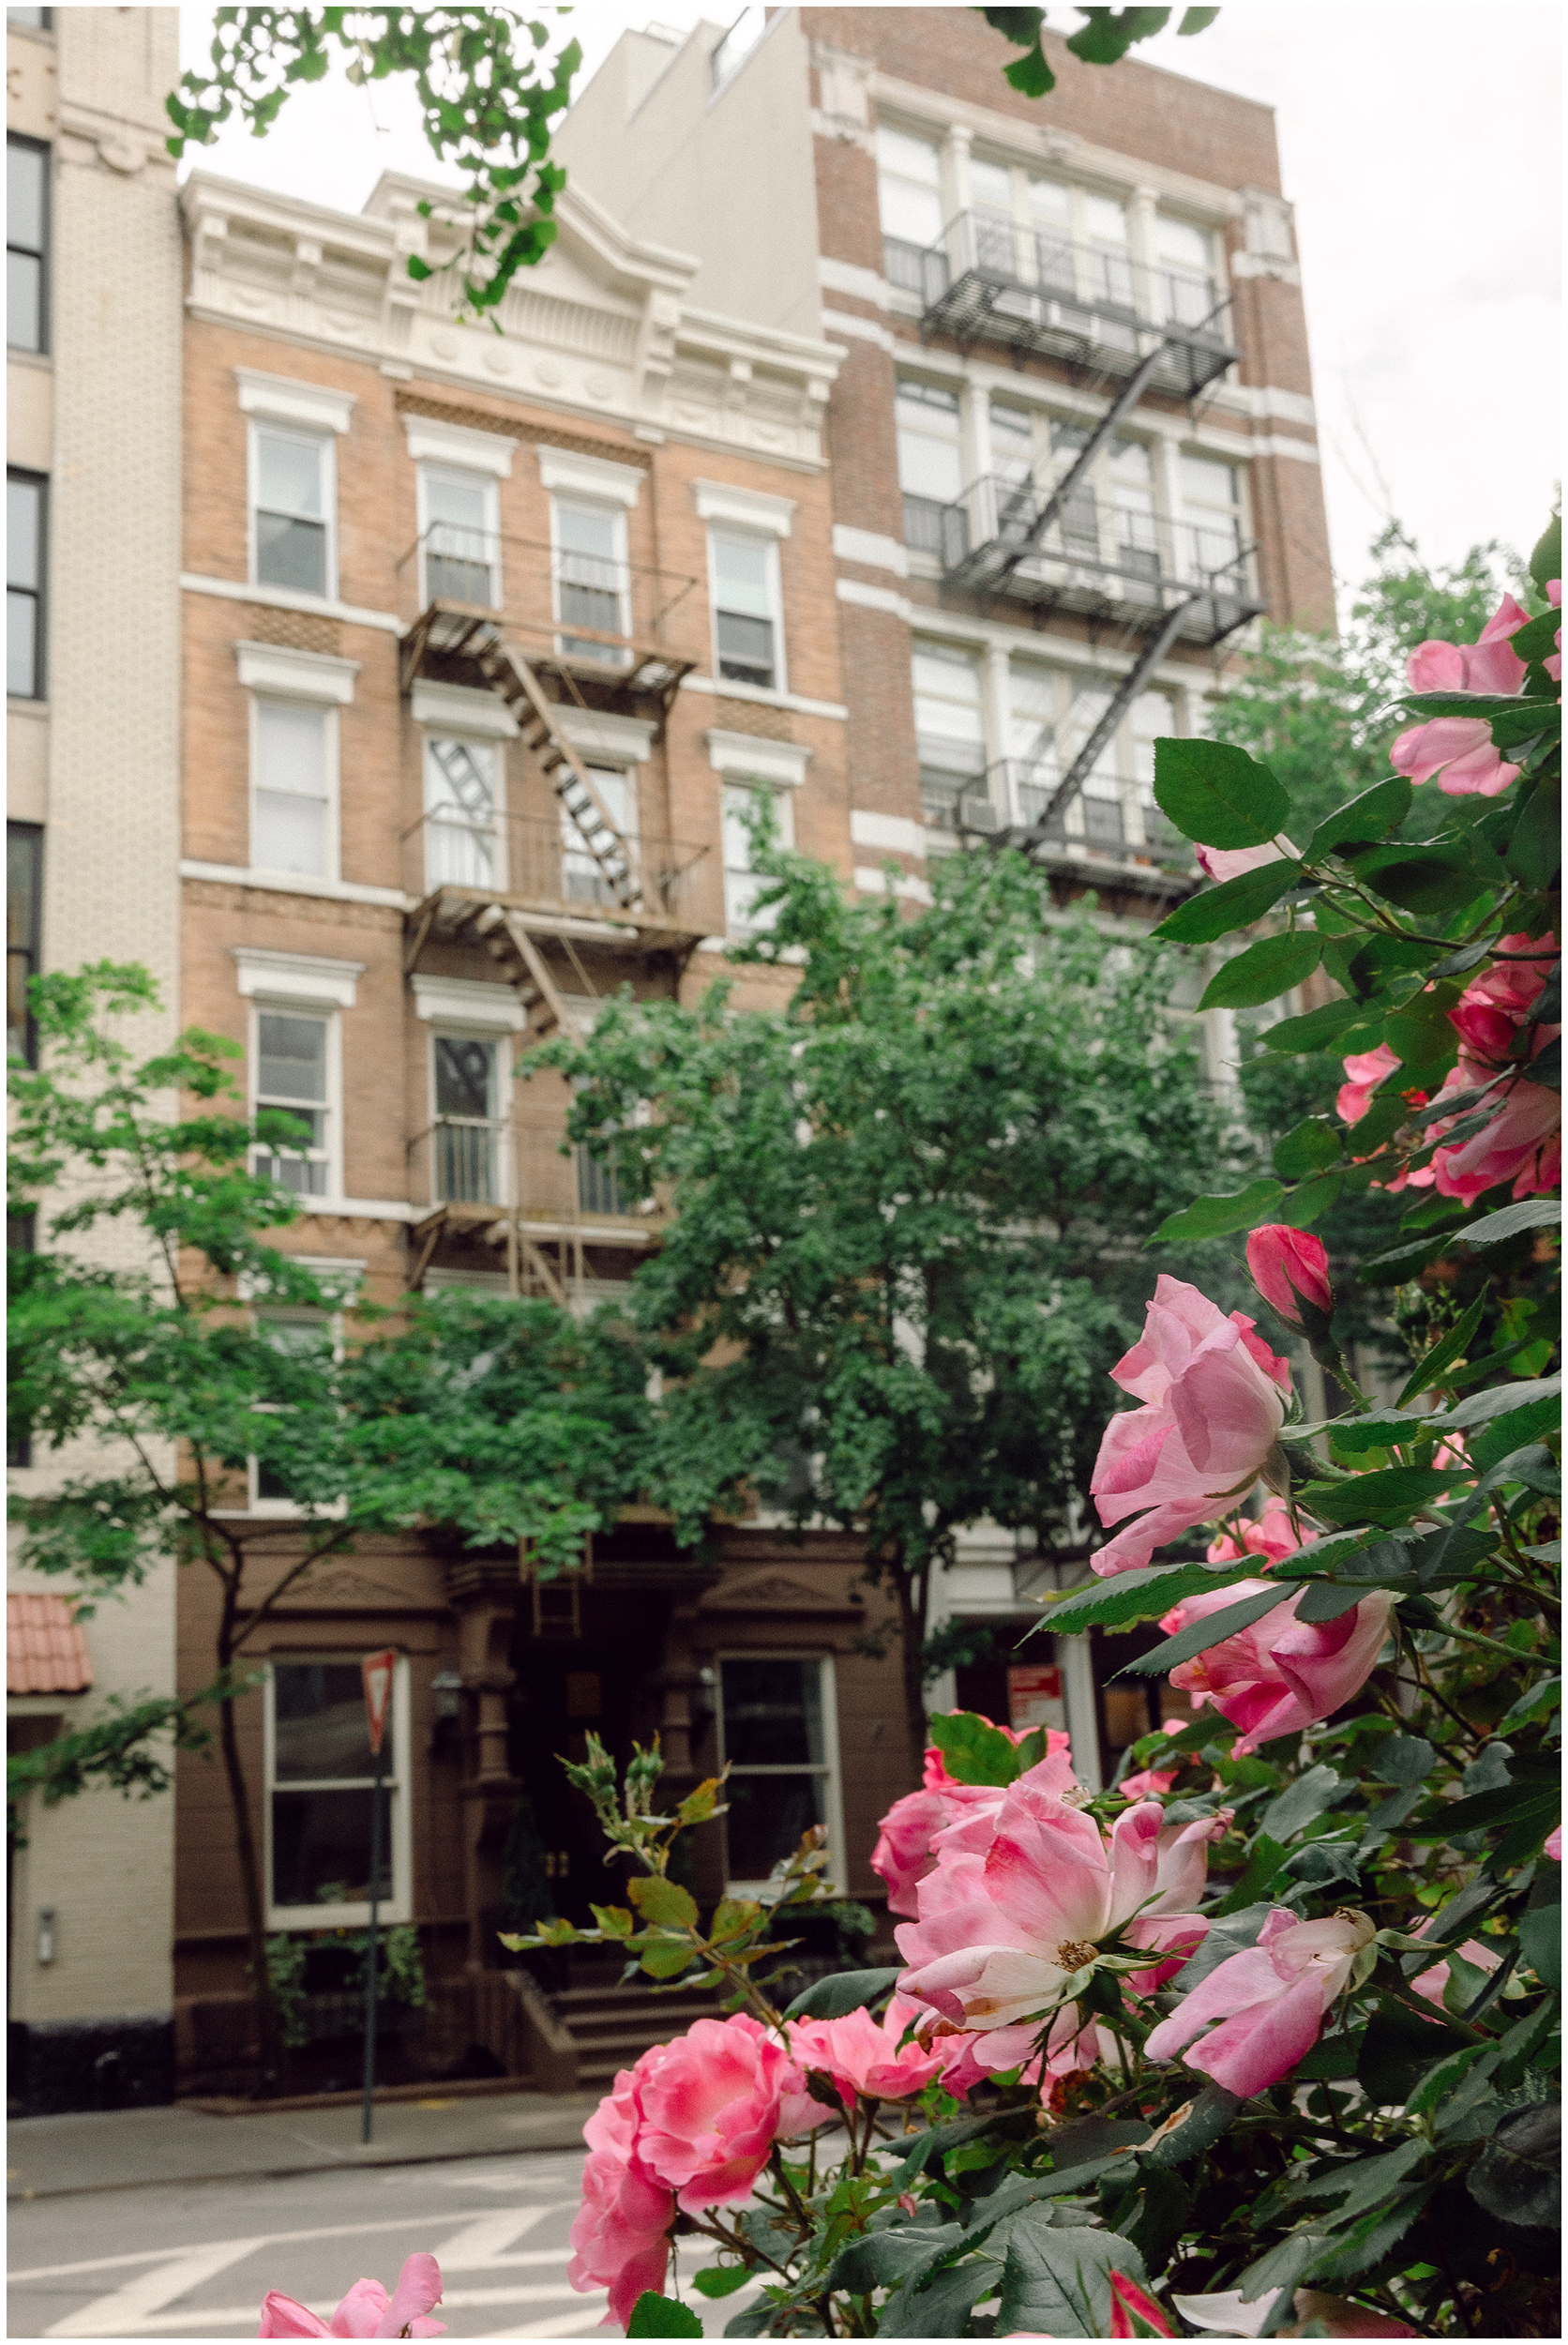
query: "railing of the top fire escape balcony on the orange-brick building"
608, 620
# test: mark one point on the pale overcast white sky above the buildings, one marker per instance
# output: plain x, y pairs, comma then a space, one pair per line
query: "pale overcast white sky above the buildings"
1422, 149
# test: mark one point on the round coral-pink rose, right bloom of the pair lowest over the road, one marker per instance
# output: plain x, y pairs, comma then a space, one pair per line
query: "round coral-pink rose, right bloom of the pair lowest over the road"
714, 2109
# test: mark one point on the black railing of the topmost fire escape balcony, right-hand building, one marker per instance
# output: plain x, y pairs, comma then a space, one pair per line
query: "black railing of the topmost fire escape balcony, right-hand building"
995, 280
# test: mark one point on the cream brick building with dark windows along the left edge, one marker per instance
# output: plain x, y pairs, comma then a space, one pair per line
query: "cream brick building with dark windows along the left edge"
93, 850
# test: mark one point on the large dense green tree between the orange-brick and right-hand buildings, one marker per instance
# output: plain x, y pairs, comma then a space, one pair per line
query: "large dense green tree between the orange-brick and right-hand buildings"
906, 1209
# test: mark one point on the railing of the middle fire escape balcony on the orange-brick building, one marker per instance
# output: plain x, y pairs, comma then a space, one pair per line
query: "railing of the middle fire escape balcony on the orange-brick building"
540, 862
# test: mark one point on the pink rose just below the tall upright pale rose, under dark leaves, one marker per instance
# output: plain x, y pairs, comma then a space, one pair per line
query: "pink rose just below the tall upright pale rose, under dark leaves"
1281, 1673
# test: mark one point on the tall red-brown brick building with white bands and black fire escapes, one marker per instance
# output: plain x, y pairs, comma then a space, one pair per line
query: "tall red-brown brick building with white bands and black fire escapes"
1072, 454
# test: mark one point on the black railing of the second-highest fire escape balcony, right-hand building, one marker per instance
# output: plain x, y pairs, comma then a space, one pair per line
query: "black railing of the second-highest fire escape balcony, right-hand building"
1093, 557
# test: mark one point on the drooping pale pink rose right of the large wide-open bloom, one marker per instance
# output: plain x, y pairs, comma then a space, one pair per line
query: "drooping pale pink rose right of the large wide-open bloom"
1269, 2001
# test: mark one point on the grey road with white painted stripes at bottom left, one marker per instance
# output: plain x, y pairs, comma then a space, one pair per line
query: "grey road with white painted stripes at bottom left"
193, 2259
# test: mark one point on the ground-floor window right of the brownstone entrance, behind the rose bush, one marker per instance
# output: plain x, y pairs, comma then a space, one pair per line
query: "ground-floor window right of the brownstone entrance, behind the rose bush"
779, 1741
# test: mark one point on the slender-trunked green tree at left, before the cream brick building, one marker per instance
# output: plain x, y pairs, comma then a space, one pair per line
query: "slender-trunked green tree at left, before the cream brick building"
221, 1361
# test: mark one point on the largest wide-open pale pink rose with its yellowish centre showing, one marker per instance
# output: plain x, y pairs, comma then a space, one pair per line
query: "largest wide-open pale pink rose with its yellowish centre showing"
1004, 1929
